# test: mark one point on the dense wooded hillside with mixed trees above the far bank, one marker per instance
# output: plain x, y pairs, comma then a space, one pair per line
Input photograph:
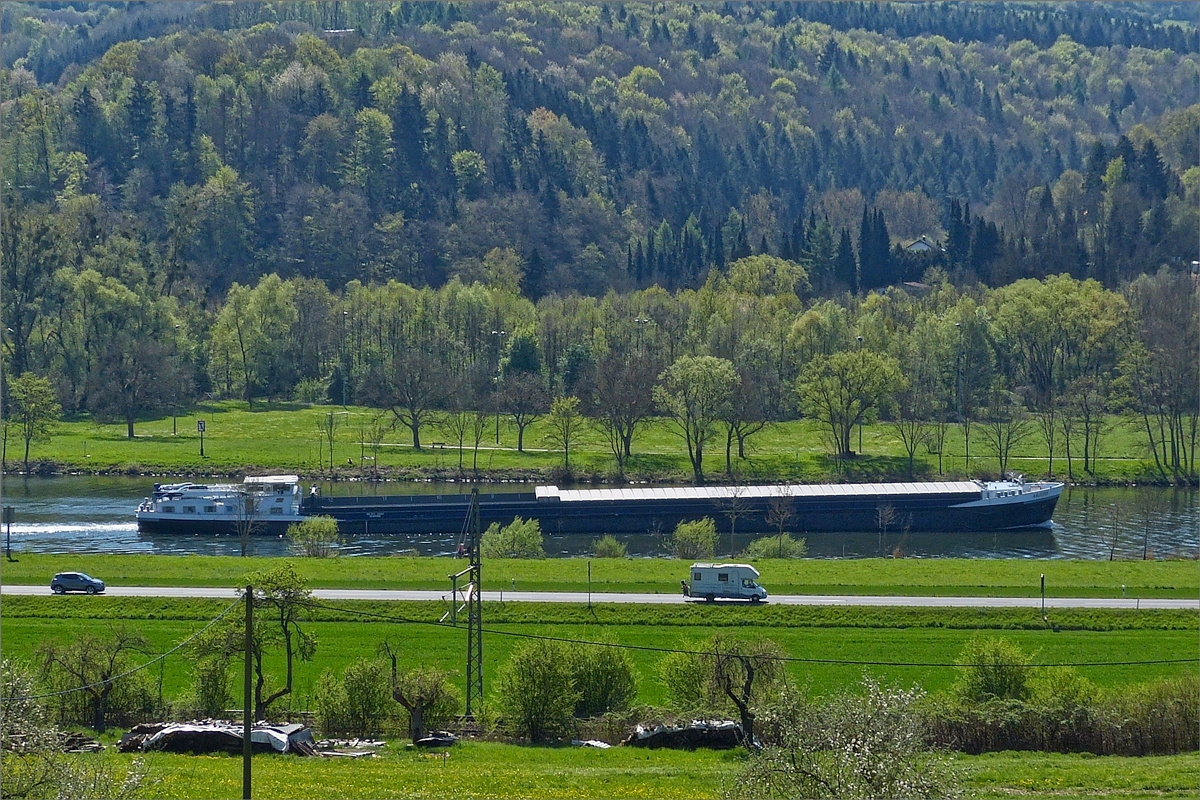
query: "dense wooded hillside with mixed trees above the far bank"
419, 204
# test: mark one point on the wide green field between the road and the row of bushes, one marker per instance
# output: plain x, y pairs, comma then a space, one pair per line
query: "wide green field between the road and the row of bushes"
832, 648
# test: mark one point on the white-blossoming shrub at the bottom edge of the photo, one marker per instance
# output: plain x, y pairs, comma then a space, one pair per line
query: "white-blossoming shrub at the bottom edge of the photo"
851, 745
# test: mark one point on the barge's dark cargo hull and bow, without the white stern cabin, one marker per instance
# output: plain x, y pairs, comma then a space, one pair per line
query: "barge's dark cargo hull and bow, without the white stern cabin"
825, 508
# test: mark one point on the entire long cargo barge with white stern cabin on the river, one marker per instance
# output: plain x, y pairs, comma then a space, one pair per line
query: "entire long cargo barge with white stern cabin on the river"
269, 504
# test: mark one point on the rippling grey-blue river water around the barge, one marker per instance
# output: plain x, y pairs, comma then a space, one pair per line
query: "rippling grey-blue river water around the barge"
95, 515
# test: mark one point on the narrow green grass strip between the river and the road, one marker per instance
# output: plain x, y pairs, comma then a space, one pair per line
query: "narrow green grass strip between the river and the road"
967, 578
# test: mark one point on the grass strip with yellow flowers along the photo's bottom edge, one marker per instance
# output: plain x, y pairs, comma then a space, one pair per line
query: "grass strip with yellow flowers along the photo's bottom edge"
512, 772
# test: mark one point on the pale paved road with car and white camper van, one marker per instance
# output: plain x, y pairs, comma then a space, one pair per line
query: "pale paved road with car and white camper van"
583, 598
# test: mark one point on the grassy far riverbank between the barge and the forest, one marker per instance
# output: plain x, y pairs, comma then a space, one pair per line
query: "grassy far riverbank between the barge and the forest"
286, 437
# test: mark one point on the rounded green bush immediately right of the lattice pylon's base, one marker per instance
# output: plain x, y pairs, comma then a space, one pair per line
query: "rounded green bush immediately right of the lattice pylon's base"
537, 694
